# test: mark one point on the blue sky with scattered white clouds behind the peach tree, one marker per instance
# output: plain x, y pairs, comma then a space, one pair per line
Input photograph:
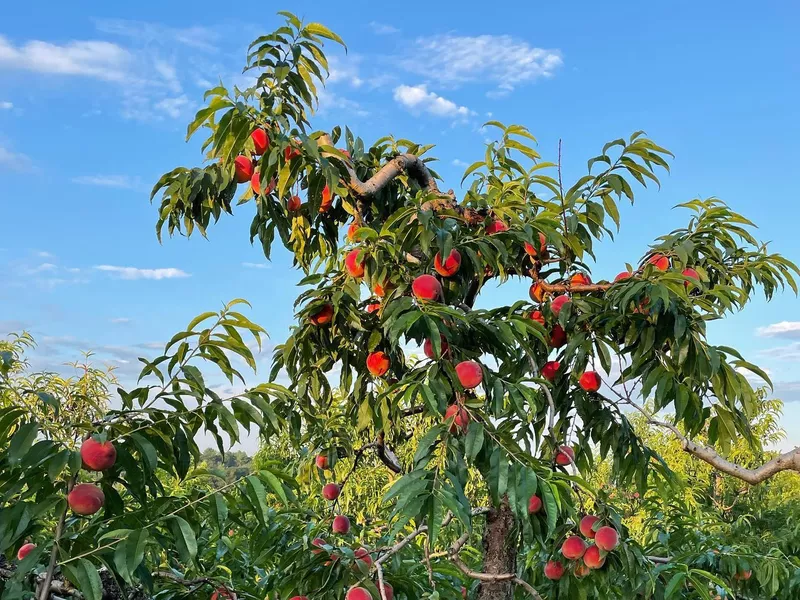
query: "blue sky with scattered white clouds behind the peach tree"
95, 97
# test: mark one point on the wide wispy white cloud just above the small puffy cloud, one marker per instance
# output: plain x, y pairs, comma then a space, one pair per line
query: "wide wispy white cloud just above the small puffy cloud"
498, 59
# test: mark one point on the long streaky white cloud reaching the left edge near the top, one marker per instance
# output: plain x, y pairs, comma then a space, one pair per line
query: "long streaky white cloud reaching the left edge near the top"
97, 59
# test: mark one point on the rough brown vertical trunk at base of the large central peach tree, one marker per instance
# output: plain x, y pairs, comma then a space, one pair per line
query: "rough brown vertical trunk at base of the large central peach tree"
499, 552
